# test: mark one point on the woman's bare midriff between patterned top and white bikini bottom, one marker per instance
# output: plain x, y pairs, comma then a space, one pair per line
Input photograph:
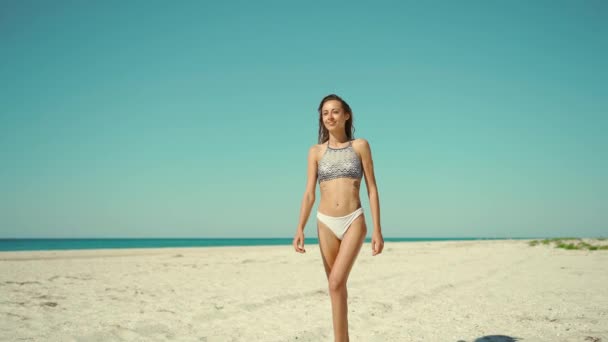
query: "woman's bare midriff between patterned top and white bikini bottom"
340, 196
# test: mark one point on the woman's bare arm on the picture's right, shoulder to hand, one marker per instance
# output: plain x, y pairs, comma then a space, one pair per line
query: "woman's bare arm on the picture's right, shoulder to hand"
372, 192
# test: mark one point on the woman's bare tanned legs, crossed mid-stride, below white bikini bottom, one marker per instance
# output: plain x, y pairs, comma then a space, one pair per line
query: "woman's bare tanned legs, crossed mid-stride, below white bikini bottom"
338, 259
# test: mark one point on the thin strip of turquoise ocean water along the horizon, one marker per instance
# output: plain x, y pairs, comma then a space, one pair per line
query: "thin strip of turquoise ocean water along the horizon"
111, 243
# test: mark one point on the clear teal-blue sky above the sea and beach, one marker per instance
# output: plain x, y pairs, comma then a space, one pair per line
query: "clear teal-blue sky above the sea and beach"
194, 118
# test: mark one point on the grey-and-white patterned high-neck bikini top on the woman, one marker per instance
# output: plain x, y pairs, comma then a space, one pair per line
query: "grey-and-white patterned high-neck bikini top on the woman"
339, 163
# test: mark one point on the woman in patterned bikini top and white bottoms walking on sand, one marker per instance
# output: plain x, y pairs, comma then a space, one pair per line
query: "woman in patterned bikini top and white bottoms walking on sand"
338, 162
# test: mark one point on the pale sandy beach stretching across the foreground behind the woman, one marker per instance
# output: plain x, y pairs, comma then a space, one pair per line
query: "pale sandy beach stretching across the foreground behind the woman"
415, 291
